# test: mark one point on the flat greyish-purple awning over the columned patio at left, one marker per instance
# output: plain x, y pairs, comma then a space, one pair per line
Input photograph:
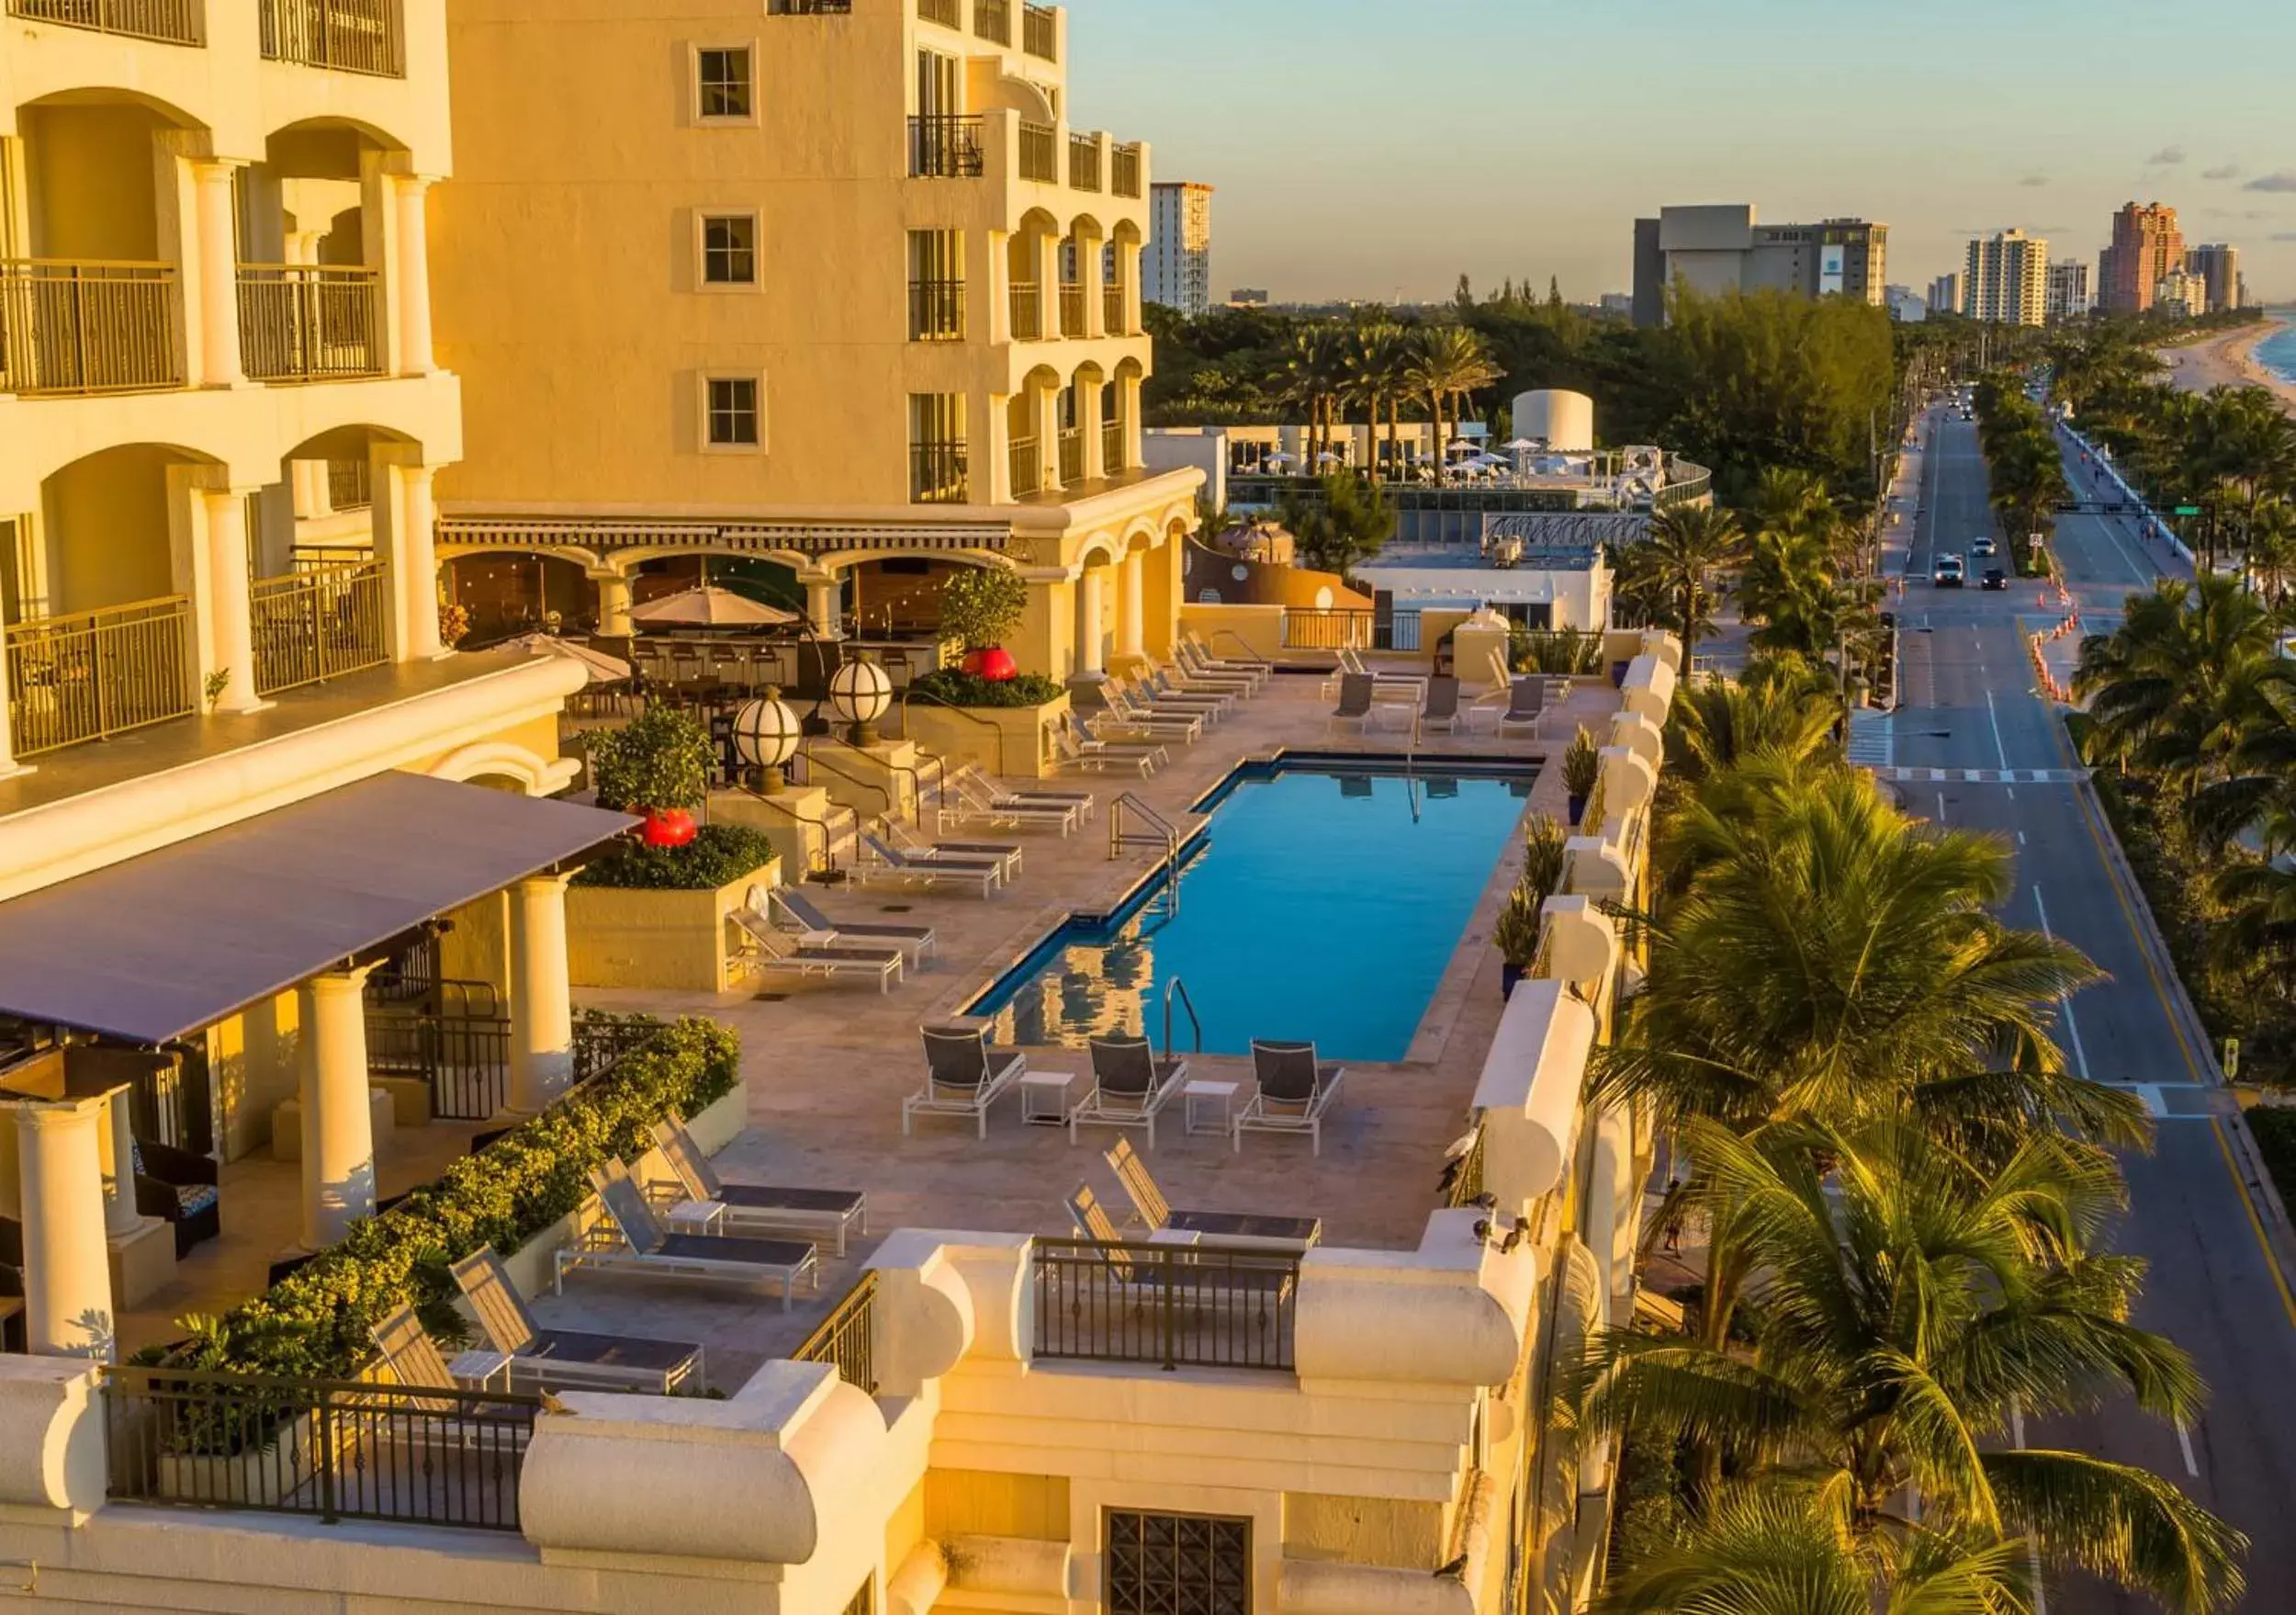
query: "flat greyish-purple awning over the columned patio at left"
176, 941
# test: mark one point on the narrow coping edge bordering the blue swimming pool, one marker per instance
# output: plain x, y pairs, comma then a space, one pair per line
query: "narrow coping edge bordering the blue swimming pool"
1457, 980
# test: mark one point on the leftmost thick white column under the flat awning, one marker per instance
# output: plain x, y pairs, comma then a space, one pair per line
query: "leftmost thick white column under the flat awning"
68, 1278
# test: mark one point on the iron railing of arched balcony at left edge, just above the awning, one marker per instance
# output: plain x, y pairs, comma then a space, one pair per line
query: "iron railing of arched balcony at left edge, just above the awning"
98, 674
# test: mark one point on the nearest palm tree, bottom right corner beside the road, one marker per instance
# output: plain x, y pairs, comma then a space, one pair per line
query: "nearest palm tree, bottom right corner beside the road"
1911, 1304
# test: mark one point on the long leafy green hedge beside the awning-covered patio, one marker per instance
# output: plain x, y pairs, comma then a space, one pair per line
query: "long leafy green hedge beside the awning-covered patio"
313, 1324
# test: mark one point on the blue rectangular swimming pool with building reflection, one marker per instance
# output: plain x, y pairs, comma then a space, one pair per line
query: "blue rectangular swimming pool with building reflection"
1321, 902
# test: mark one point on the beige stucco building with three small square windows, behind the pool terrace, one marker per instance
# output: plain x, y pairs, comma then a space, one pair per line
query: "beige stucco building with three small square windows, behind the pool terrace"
839, 295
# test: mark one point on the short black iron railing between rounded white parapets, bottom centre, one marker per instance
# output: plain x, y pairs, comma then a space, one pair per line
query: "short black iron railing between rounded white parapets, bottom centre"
1172, 1306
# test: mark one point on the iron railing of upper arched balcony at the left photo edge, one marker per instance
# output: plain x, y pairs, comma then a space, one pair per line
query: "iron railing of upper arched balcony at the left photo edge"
88, 327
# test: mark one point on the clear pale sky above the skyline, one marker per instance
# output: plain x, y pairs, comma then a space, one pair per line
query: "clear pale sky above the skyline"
1381, 148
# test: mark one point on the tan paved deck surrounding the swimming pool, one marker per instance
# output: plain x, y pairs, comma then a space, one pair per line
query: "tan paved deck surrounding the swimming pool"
830, 1065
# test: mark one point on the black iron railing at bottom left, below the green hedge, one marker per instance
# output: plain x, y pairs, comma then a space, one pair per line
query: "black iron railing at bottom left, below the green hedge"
325, 1448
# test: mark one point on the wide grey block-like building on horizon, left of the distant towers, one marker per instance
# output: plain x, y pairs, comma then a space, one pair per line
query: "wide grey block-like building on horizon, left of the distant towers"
1723, 249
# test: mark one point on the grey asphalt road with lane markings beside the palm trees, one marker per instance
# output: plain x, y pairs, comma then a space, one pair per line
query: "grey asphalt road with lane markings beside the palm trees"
1971, 706
